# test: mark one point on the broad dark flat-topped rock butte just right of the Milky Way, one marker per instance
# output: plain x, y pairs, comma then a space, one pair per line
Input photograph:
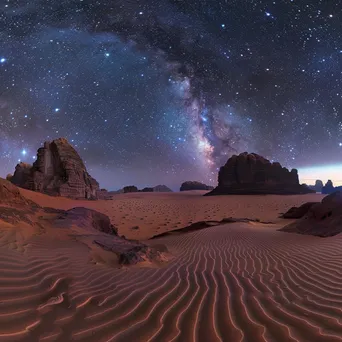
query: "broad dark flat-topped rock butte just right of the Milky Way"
254, 174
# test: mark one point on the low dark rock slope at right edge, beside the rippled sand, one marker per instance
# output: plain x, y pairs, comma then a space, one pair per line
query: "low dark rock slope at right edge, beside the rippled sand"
323, 219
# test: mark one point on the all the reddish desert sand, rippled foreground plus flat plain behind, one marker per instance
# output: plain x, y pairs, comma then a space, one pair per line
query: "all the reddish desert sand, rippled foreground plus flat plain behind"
233, 282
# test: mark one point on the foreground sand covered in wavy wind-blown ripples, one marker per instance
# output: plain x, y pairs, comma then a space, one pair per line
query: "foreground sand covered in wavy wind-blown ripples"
227, 283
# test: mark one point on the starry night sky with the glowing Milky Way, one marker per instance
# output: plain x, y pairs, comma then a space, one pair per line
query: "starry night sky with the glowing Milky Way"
162, 91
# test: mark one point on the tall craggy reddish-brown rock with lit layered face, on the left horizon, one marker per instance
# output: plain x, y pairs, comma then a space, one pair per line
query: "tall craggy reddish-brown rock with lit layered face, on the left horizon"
58, 171
